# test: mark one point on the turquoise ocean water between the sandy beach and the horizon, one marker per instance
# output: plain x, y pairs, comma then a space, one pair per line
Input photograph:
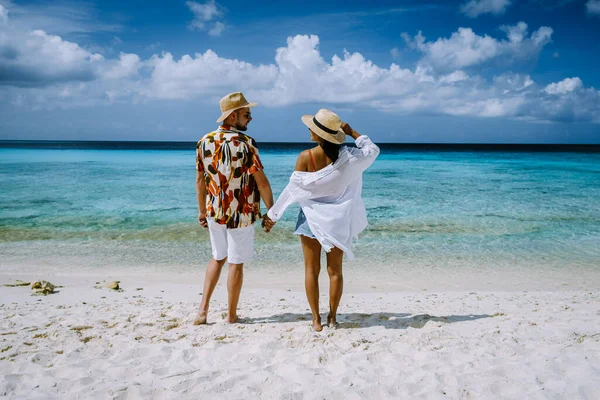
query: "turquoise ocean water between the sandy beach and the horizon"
107, 206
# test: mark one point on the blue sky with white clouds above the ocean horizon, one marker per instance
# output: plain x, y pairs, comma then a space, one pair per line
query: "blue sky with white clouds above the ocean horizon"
477, 71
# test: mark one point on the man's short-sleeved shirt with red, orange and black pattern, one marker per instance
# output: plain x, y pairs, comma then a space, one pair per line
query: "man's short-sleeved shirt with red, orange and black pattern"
228, 159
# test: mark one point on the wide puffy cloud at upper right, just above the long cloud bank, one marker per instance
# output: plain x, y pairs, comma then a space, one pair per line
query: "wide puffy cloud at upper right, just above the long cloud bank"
465, 48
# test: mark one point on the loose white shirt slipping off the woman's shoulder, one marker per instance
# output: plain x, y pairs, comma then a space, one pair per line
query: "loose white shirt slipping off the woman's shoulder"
331, 197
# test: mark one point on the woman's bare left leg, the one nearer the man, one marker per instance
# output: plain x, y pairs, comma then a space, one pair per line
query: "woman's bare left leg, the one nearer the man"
312, 267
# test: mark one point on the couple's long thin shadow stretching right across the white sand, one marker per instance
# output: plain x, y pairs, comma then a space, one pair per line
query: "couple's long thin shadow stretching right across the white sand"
358, 320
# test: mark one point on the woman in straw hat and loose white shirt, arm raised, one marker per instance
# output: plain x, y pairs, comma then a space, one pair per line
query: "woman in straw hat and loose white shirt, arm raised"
327, 183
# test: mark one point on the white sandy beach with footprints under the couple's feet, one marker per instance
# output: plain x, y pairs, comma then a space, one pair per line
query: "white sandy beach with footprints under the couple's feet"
95, 343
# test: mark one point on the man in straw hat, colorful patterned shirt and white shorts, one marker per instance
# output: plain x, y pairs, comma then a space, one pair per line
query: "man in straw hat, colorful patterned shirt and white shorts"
230, 182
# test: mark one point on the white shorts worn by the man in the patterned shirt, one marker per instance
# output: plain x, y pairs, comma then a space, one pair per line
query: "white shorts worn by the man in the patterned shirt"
236, 244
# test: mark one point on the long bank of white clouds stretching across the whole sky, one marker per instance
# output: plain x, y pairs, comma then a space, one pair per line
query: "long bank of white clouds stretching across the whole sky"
39, 70
